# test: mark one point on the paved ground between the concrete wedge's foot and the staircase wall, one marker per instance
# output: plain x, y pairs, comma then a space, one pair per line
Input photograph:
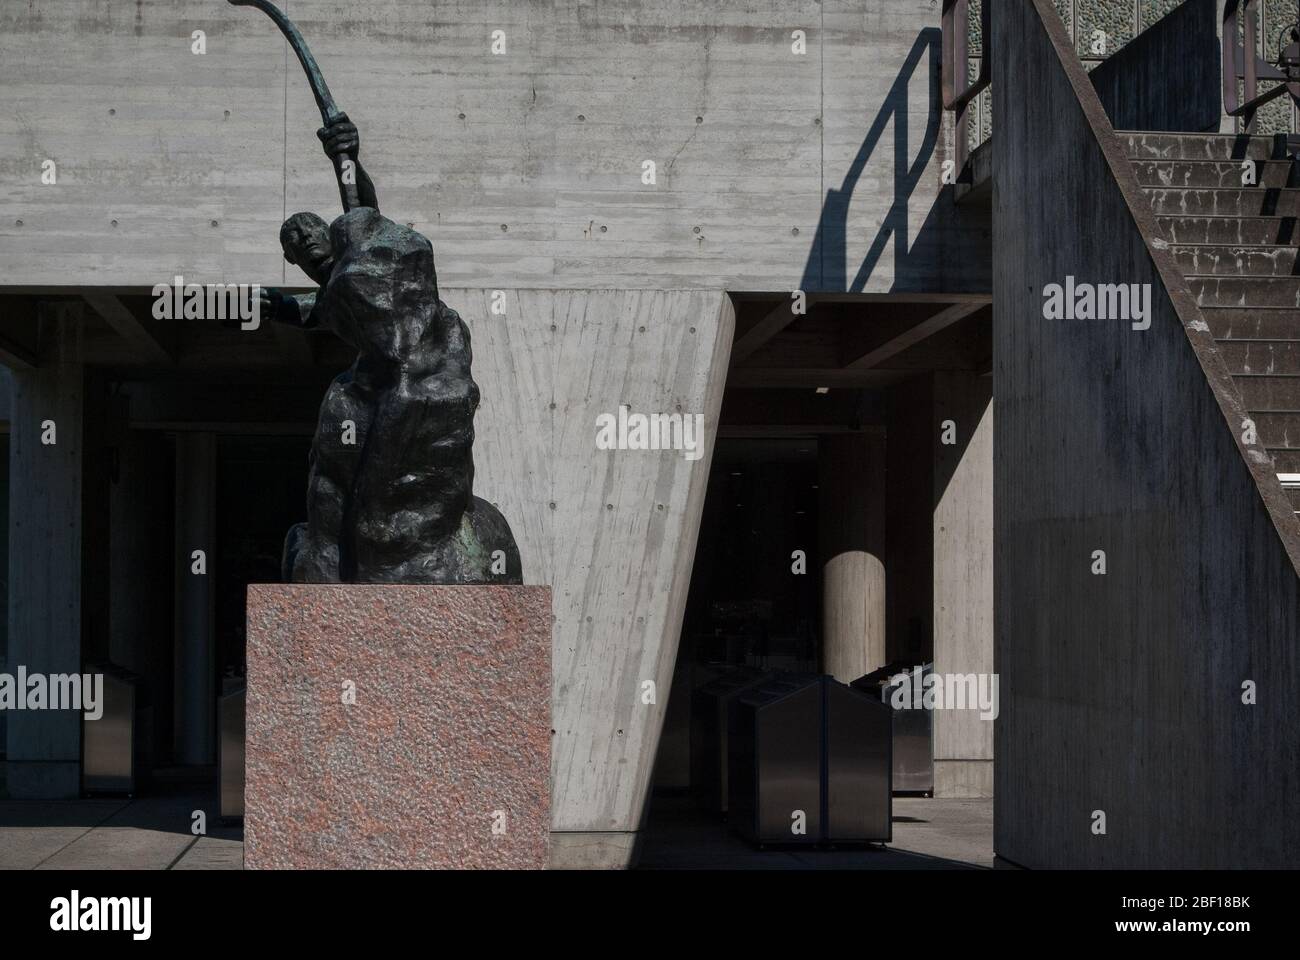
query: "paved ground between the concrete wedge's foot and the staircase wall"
928, 834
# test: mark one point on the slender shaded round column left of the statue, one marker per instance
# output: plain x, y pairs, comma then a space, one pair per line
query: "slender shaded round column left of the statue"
196, 659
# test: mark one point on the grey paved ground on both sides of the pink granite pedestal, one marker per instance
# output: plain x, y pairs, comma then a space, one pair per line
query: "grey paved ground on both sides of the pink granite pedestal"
154, 834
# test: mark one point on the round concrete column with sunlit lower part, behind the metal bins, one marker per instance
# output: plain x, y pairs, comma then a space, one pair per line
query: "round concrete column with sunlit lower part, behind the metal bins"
852, 543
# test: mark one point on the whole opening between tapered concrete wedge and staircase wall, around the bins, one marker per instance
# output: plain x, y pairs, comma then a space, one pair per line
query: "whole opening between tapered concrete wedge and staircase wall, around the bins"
847, 533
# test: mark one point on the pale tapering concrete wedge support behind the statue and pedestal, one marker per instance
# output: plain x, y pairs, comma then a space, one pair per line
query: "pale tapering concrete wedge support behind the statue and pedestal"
613, 531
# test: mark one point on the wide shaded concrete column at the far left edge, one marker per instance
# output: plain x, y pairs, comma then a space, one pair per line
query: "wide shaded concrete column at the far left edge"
46, 555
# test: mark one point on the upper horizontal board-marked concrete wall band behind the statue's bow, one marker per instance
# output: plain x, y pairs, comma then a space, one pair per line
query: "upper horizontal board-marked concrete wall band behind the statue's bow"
774, 170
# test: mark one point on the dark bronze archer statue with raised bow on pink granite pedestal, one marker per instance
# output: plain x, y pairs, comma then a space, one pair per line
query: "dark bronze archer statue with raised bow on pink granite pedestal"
391, 490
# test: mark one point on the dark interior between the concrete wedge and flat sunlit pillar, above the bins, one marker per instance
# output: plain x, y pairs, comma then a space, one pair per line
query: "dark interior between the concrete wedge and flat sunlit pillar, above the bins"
830, 443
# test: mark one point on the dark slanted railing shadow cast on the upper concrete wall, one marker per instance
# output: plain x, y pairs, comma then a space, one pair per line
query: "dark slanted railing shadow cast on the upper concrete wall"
944, 254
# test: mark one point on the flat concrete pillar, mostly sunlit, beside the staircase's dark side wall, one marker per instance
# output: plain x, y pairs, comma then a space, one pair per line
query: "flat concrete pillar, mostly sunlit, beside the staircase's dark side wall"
964, 576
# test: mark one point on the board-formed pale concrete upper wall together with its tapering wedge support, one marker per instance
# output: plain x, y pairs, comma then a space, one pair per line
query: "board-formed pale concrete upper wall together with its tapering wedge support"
795, 144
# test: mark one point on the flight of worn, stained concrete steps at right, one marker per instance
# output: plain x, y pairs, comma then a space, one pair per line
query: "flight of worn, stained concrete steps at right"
1238, 247
